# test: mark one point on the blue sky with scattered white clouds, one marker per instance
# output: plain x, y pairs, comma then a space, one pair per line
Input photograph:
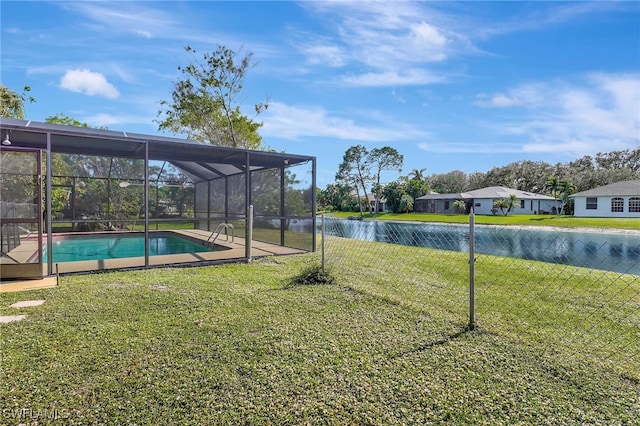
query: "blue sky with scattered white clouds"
450, 85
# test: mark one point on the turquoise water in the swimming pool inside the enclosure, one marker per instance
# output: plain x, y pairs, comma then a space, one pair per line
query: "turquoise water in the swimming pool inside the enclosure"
73, 249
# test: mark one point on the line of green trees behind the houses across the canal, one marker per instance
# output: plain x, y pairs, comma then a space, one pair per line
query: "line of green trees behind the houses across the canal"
358, 188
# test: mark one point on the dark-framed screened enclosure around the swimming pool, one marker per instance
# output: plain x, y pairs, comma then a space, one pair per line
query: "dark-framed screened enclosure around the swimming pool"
75, 199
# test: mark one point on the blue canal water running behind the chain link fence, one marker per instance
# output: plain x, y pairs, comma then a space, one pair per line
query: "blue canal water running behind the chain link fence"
617, 252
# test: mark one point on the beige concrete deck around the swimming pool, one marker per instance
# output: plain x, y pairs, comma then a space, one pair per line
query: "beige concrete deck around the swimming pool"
233, 249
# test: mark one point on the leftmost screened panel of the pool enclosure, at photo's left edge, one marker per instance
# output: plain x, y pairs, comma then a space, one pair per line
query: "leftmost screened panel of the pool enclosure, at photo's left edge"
20, 213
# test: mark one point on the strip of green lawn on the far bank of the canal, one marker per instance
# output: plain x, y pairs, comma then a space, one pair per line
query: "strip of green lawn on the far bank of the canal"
531, 220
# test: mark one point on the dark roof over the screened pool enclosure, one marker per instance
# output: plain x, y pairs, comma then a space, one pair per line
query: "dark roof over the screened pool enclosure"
199, 162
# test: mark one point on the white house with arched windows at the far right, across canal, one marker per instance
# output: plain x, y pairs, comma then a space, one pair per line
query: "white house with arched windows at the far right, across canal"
621, 199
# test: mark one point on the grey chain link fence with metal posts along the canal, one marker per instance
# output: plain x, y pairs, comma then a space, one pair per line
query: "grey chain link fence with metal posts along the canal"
579, 291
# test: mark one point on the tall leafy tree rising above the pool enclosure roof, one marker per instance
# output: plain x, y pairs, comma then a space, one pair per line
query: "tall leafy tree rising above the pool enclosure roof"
204, 101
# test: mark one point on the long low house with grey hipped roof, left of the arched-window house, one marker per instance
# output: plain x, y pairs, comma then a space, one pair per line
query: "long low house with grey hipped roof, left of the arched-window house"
482, 201
